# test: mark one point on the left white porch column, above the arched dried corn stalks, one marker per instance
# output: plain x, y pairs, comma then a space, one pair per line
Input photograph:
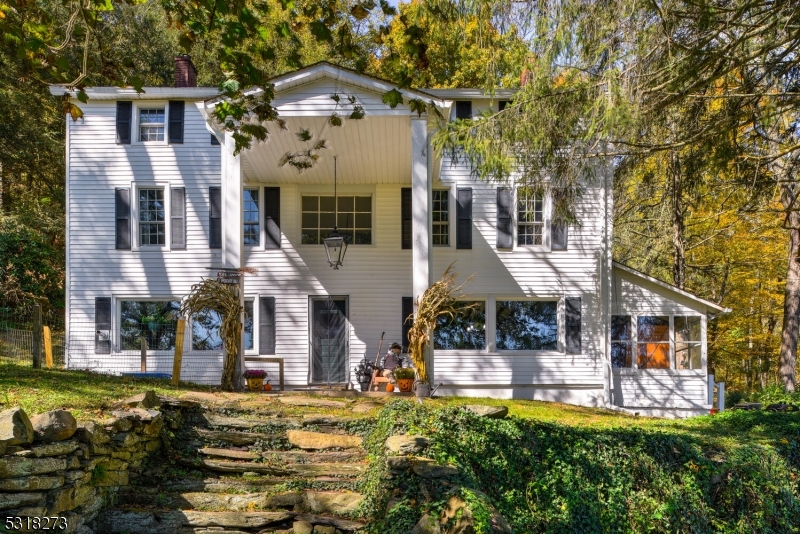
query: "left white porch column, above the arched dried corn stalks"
232, 193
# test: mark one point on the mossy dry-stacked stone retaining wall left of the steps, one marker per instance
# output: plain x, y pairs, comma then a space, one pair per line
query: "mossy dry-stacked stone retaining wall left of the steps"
52, 466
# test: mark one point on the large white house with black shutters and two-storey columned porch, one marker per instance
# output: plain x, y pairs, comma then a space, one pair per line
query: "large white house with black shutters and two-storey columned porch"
157, 200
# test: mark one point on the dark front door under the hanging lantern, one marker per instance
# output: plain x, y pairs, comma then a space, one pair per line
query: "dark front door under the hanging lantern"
329, 340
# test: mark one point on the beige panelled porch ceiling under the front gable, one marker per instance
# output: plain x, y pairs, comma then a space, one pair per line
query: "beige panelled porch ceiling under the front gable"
370, 150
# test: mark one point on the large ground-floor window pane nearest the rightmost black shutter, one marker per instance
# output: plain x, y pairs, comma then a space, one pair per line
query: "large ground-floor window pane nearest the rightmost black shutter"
527, 325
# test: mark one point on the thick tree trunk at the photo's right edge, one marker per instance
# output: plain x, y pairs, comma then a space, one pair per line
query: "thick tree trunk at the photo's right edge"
791, 306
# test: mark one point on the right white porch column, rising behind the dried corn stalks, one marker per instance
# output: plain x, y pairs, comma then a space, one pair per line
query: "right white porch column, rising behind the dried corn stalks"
422, 262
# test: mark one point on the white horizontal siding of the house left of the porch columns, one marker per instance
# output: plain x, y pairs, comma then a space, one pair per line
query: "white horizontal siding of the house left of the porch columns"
97, 165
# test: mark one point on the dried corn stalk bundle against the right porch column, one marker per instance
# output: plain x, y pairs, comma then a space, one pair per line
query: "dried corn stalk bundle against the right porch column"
438, 300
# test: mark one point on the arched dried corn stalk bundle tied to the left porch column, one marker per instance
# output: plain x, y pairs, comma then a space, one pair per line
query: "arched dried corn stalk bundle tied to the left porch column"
223, 299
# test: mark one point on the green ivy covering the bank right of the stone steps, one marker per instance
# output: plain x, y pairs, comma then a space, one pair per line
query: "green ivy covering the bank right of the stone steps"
735, 472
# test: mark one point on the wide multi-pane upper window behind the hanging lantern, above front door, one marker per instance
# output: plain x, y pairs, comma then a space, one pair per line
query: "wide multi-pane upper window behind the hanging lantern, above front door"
352, 218
